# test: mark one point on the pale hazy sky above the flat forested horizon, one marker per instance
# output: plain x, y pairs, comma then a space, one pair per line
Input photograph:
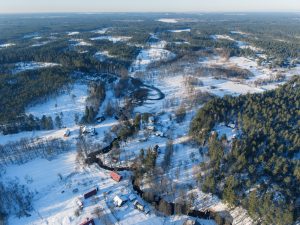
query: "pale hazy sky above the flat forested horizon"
40, 6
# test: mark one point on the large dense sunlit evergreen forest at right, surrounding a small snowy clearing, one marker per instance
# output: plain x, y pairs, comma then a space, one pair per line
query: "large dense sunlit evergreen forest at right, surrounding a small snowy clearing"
261, 171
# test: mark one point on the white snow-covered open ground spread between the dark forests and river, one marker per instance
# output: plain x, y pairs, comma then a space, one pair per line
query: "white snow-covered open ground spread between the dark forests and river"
55, 199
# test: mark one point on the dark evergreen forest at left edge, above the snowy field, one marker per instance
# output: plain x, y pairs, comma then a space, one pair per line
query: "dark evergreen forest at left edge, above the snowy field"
26, 88
